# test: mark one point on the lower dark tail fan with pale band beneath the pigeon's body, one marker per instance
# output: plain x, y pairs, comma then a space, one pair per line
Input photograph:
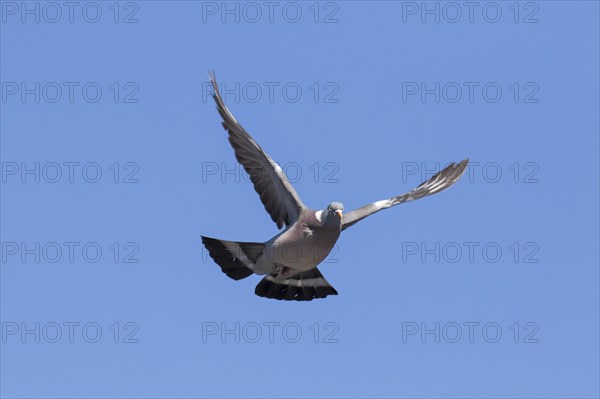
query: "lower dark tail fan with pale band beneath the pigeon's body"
304, 286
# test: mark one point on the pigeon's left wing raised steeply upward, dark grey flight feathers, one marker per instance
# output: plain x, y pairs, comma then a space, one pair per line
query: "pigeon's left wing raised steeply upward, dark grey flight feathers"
275, 191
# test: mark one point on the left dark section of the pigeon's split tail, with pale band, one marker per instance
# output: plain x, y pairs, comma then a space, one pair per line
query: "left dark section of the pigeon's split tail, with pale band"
236, 259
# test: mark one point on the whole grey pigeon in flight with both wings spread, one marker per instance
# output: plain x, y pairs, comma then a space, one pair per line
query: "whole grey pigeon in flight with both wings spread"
289, 260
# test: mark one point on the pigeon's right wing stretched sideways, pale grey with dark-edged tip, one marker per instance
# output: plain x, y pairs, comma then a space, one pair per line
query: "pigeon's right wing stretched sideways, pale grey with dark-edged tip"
439, 182
